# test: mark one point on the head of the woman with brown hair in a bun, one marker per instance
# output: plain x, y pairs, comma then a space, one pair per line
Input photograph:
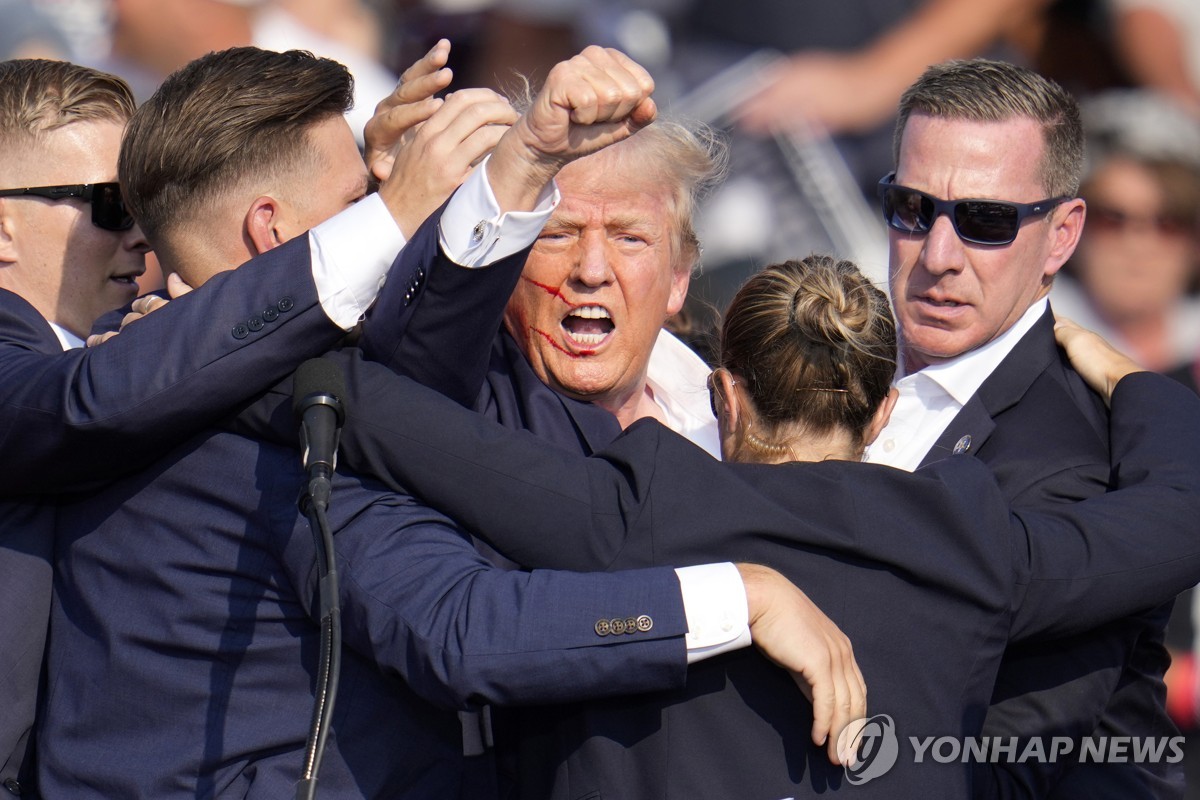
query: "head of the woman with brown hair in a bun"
808, 353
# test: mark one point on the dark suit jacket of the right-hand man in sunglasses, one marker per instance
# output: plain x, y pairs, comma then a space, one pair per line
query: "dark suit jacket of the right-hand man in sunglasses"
1046, 437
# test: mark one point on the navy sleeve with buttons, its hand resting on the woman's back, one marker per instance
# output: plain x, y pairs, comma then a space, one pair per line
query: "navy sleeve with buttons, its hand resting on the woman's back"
421, 603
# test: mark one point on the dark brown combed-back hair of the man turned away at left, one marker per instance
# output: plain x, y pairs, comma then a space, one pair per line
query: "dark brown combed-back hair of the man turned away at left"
226, 117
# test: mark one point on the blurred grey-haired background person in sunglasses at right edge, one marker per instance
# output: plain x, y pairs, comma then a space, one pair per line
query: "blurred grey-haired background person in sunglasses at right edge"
1135, 273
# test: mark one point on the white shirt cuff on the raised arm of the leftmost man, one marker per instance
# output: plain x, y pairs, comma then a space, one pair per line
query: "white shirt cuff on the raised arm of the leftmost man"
351, 256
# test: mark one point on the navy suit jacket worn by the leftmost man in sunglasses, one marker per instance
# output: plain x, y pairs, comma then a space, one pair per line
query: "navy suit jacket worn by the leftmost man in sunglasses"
74, 419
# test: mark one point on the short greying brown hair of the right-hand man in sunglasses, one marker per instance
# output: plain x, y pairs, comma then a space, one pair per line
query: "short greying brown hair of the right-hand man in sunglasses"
994, 92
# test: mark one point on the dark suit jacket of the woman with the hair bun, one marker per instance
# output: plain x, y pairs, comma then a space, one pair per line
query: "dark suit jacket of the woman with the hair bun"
926, 573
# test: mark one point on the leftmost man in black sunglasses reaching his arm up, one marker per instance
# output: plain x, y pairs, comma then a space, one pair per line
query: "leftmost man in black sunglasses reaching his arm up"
73, 417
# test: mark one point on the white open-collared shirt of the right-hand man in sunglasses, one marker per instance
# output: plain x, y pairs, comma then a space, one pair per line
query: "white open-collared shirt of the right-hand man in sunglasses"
932, 398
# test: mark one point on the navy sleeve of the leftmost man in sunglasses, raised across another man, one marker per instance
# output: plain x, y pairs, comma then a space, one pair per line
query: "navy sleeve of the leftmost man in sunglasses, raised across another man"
76, 419
